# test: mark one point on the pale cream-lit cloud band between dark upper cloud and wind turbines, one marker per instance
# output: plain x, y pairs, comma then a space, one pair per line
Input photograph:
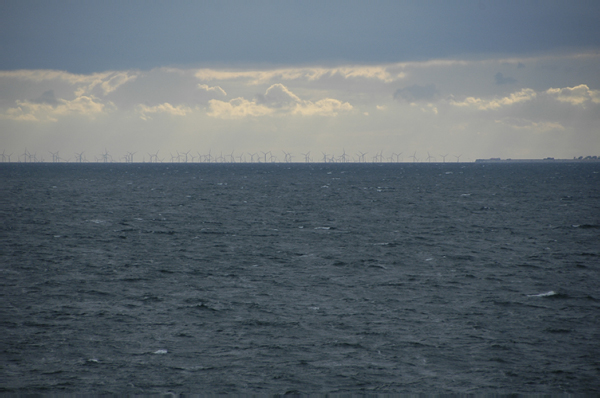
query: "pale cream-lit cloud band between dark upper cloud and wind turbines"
440, 107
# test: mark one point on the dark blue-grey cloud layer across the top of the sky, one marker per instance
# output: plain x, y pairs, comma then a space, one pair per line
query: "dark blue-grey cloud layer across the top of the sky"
88, 36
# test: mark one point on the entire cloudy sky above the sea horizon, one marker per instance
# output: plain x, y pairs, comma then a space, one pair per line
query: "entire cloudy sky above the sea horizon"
356, 80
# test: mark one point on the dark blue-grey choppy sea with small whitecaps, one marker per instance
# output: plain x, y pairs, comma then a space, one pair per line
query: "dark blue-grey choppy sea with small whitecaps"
366, 279
